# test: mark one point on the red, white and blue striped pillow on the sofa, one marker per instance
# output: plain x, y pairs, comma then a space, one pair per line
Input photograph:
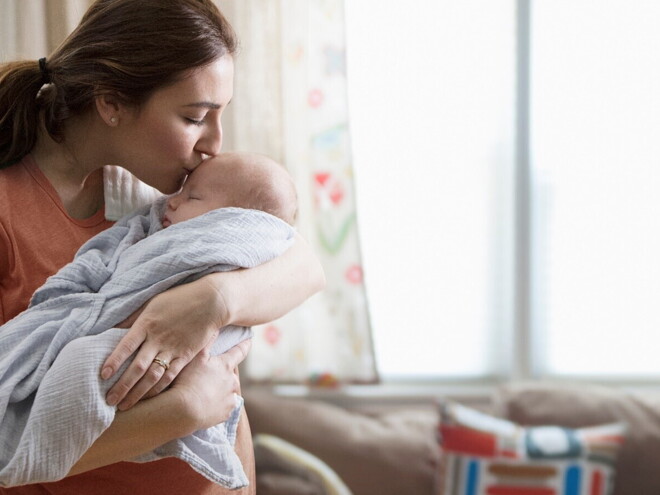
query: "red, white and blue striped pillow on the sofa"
484, 455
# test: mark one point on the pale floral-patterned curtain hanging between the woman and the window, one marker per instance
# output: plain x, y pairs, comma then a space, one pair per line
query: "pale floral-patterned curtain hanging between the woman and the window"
290, 102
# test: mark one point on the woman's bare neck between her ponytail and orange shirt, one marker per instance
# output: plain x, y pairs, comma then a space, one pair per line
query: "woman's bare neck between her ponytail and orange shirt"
73, 171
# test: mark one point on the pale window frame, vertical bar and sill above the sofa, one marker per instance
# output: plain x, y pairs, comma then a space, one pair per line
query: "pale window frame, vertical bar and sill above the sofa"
525, 359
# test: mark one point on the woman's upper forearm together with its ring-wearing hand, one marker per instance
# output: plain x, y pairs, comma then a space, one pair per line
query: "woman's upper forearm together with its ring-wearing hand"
198, 310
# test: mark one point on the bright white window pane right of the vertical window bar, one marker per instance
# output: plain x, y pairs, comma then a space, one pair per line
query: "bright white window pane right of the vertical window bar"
595, 127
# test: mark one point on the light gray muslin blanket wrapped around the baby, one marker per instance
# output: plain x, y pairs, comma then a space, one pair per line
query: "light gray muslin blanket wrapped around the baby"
52, 399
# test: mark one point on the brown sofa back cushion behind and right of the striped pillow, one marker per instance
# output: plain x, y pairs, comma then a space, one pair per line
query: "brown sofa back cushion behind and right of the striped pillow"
577, 406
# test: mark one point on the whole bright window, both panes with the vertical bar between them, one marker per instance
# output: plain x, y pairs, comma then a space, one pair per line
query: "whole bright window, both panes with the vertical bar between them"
506, 158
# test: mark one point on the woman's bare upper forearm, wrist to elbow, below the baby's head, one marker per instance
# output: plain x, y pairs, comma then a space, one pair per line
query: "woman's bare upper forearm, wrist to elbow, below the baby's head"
271, 290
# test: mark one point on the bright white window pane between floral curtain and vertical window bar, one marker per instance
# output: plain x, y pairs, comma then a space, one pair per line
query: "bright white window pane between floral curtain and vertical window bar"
432, 105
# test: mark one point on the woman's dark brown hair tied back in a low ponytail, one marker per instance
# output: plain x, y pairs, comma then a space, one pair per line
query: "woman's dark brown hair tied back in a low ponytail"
128, 48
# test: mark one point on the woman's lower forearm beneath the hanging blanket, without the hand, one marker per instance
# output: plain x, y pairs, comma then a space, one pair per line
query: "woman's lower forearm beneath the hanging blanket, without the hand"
149, 424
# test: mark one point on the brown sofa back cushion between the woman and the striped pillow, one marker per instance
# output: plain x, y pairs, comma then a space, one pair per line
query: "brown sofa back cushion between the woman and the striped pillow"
385, 453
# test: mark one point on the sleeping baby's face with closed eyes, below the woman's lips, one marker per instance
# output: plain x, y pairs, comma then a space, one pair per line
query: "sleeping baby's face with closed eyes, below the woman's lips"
200, 194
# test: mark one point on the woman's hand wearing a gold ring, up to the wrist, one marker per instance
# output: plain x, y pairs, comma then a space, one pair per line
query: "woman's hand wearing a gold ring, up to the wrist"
173, 327
